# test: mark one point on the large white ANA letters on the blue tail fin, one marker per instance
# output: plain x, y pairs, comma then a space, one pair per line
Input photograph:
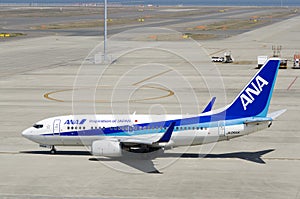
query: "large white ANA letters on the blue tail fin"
257, 86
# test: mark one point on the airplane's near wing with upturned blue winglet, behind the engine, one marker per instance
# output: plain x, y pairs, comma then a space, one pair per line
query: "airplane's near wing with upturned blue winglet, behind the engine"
165, 138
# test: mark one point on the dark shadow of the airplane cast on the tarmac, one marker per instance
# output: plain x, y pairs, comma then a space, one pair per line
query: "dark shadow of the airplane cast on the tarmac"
145, 164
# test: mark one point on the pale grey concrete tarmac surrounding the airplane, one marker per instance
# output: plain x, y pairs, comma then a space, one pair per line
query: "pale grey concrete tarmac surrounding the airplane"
148, 75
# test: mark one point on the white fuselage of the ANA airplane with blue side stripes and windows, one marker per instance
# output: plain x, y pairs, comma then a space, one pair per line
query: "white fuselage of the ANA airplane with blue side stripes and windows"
85, 129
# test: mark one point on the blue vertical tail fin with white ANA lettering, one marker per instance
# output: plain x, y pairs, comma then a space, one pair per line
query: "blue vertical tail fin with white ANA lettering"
254, 99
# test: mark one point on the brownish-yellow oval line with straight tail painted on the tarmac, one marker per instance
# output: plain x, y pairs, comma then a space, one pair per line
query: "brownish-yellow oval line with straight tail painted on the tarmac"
169, 92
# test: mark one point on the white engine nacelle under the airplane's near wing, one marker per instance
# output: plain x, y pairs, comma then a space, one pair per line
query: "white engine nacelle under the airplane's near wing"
106, 148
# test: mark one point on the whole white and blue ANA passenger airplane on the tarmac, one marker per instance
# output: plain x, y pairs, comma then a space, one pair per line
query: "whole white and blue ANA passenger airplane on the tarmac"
113, 135
